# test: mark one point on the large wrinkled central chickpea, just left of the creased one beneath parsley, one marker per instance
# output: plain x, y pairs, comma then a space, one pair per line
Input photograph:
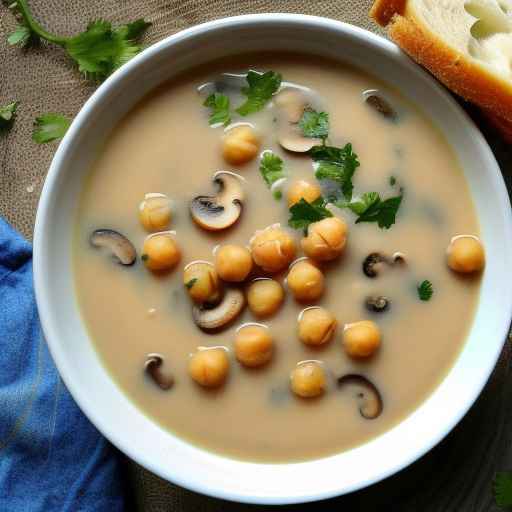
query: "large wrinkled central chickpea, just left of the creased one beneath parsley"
273, 249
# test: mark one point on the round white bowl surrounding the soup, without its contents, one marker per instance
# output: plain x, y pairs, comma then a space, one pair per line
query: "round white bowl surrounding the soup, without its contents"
90, 384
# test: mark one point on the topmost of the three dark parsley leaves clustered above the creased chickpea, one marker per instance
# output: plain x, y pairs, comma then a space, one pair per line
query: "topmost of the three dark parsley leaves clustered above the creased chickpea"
336, 164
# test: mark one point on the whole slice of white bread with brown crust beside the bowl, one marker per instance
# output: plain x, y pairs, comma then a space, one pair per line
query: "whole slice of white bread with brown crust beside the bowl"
466, 45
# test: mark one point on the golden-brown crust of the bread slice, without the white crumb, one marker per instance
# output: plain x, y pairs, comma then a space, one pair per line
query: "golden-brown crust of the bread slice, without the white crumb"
470, 80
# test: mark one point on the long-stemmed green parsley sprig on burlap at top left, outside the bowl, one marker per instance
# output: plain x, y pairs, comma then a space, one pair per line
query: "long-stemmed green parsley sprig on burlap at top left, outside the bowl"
98, 51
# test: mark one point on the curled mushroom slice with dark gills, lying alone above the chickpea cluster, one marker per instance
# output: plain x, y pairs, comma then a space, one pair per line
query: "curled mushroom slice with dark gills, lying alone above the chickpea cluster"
221, 211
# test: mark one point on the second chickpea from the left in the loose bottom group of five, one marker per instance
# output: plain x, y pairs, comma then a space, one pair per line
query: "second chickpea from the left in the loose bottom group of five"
253, 345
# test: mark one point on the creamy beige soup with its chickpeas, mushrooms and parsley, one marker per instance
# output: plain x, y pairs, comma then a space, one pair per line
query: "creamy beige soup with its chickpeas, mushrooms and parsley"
251, 400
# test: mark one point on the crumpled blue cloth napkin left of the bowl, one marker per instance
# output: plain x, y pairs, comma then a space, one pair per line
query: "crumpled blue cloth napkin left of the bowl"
51, 456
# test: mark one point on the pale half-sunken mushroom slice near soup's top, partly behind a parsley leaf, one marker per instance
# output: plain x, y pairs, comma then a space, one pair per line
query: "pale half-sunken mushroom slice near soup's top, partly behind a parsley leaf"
291, 103
